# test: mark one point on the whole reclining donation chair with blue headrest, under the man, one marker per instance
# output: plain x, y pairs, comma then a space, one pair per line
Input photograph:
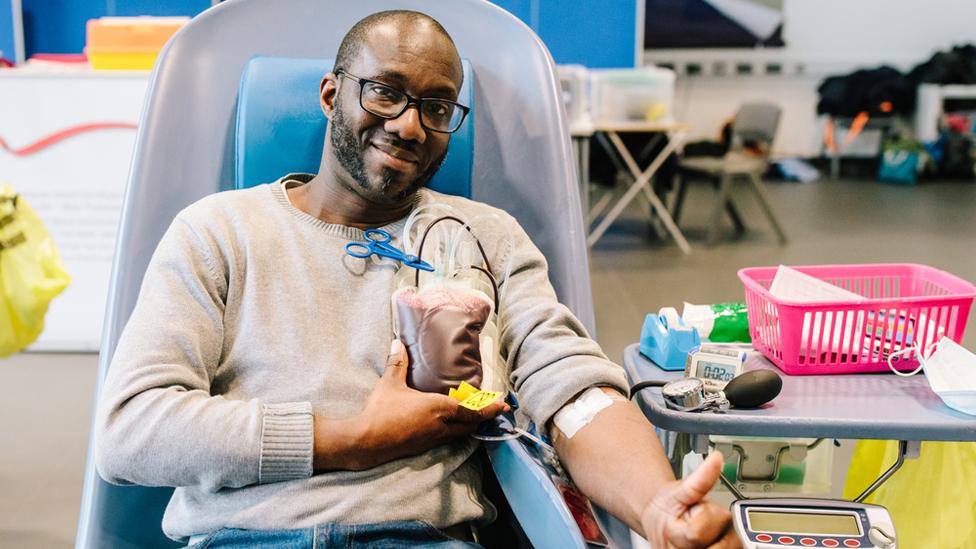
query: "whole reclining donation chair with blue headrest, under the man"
233, 102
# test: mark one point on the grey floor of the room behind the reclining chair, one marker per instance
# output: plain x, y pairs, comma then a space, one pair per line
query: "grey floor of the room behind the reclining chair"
46, 408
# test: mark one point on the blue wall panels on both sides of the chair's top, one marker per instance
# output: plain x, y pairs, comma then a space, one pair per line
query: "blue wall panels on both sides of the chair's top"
595, 33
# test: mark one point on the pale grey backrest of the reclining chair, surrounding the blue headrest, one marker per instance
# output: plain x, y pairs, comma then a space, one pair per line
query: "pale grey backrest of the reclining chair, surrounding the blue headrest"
522, 163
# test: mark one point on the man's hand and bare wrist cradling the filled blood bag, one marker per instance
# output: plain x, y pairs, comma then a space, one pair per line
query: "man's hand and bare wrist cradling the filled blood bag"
396, 422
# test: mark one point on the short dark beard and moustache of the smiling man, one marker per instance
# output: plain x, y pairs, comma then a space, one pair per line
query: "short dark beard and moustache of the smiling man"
350, 153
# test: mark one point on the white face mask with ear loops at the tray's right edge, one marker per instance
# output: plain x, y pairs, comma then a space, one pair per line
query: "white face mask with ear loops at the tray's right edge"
950, 370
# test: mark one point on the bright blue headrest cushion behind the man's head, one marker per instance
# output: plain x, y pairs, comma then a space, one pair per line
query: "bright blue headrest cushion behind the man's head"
281, 128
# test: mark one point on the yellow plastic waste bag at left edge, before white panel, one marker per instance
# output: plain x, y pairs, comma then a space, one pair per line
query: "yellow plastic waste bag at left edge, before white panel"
31, 273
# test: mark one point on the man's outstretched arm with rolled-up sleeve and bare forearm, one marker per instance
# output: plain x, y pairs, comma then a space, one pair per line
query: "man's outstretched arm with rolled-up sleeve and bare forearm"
616, 460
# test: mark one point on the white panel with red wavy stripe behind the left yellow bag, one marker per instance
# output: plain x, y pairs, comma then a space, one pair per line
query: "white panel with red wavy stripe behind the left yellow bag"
76, 185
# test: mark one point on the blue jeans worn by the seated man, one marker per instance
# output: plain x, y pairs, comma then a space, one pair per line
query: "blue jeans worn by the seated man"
383, 535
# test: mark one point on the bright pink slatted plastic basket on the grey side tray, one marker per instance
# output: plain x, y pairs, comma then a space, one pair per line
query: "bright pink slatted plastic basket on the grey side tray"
903, 303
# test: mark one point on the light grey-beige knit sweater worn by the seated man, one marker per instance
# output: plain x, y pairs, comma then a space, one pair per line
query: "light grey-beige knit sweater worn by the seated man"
251, 318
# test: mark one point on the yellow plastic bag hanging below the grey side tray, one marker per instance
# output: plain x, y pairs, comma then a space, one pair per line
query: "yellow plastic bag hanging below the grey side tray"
932, 499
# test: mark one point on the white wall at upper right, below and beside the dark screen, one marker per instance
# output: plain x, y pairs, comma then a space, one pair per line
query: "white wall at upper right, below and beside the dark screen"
823, 37
